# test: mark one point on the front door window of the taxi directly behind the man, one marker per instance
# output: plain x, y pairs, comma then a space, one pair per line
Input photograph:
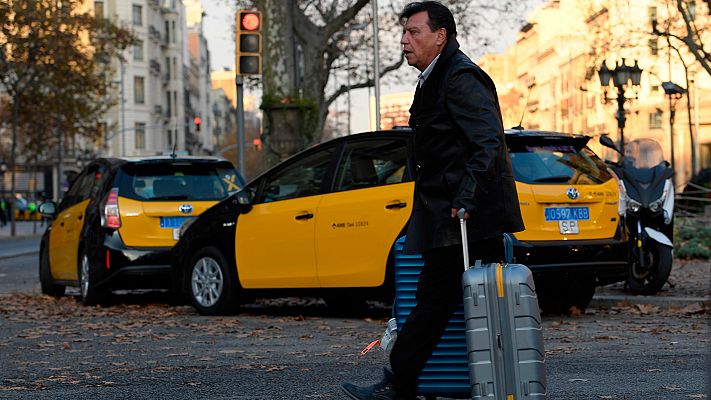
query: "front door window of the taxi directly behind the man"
301, 178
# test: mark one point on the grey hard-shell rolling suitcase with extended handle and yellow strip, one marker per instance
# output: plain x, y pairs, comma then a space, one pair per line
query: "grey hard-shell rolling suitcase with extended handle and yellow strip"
503, 329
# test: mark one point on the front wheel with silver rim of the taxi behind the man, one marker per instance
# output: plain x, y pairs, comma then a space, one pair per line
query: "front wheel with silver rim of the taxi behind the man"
212, 285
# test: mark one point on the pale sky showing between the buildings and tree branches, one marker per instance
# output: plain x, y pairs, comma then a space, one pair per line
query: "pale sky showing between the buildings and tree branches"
218, 29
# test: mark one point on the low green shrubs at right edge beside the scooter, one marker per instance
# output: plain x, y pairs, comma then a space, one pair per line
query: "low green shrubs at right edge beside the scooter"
692, 237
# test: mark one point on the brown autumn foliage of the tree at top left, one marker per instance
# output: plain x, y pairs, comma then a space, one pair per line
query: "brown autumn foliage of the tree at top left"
55, 67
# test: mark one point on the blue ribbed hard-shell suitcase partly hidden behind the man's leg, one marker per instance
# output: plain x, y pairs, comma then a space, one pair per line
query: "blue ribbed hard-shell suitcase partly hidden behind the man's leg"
446, 373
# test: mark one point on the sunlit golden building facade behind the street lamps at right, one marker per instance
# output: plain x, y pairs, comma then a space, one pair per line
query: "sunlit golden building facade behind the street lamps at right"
549, 80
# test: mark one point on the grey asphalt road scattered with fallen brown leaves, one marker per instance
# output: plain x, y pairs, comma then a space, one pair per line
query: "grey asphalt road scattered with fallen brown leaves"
146, 346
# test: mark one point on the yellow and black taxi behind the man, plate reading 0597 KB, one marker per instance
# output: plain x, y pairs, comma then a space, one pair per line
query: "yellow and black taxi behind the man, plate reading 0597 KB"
326, 220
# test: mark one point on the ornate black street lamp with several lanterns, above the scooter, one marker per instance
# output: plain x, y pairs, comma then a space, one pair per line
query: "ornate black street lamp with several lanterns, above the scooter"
623, 76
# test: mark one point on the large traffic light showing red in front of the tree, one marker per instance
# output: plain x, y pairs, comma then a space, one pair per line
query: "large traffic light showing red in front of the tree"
249, 42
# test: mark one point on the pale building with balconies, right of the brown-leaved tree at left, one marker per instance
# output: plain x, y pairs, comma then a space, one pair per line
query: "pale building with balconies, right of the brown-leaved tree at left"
150, 117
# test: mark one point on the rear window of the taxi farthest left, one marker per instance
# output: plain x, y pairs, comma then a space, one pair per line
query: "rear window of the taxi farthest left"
179, 181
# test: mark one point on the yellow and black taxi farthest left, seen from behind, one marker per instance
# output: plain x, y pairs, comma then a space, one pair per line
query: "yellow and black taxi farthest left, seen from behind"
119, 219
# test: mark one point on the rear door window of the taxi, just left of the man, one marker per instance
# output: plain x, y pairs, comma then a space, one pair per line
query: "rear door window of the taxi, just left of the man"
372, 163
